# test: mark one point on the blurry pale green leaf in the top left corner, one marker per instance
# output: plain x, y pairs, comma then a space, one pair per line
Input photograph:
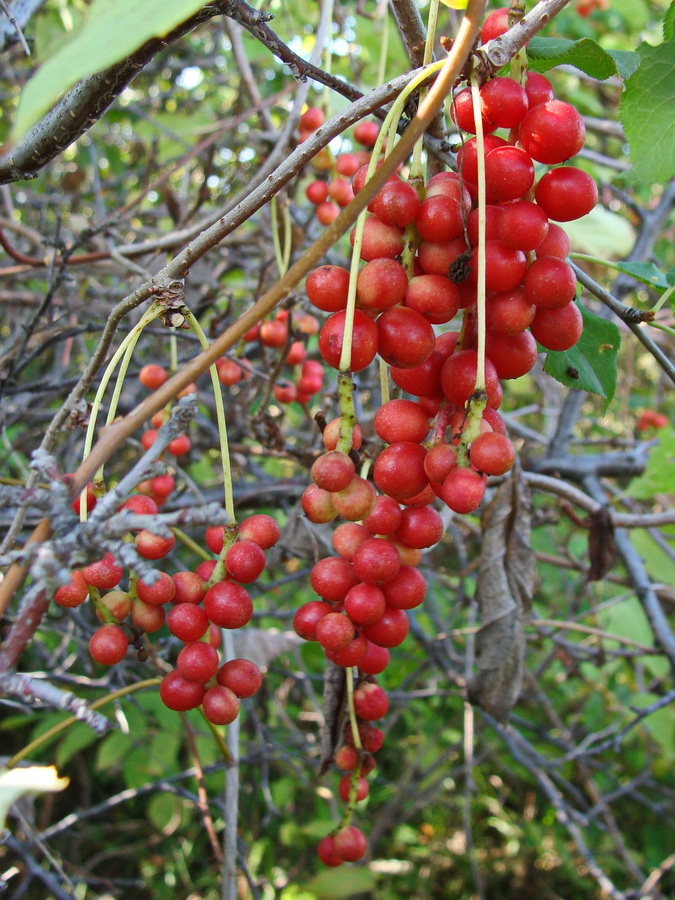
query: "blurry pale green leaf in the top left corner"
112, 30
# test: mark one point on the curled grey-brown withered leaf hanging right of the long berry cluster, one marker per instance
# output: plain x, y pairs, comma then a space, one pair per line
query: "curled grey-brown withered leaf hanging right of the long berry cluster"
504, 595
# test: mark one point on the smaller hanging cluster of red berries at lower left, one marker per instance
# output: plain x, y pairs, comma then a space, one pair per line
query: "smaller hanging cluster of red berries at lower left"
199, 602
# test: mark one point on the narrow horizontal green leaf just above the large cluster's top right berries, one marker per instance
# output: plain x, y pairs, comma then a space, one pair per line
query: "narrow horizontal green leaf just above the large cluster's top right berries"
584, 54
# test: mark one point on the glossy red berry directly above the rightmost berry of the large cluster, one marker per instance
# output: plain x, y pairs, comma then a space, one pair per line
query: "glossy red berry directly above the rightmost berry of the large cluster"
552, 132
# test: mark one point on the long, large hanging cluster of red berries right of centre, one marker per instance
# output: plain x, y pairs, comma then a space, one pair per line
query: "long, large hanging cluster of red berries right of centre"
420, 269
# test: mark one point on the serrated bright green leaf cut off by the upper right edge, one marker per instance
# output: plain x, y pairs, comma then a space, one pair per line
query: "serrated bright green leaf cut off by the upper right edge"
646, 113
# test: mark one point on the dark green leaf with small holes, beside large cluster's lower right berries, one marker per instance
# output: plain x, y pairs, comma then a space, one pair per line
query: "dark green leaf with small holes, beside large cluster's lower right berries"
591, 364
